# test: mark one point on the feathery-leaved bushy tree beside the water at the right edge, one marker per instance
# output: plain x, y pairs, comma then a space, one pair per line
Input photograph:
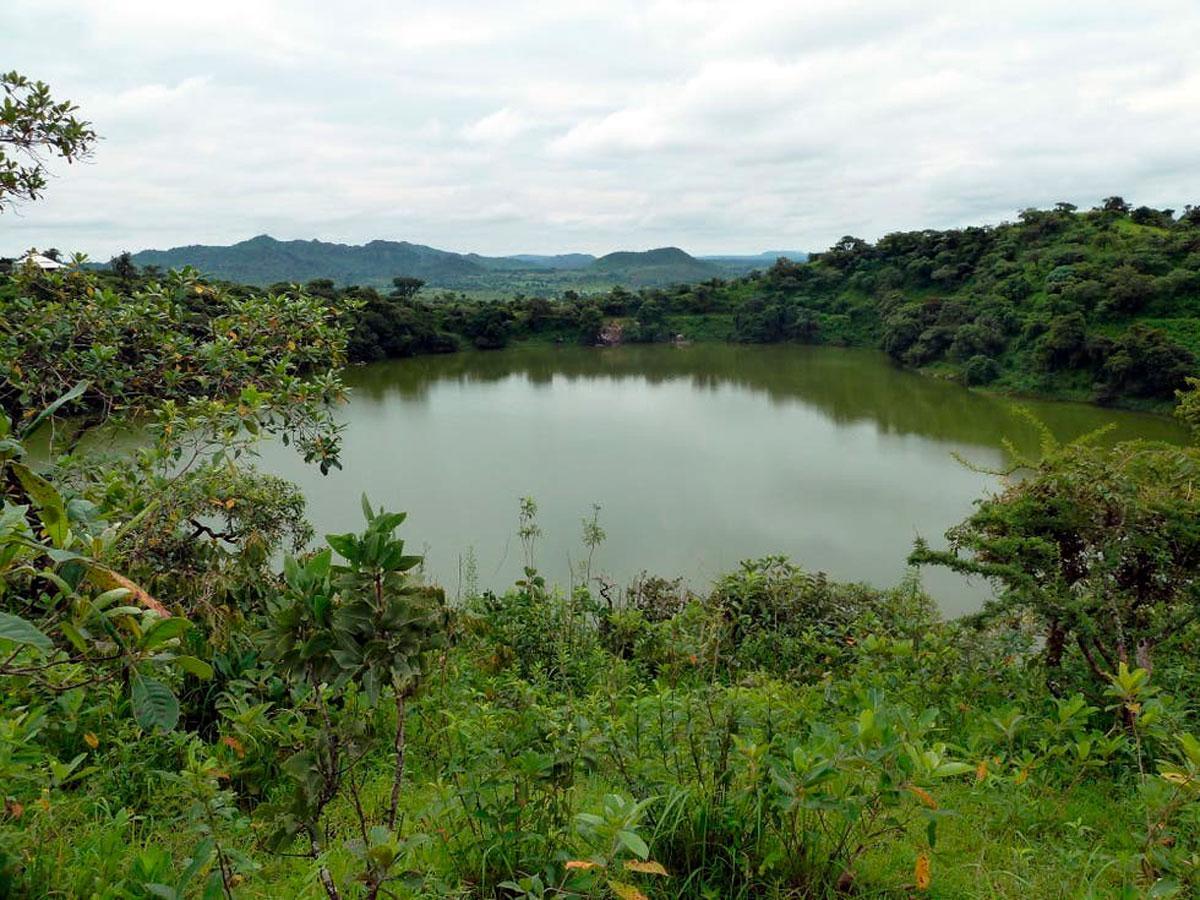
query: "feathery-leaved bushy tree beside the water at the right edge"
1100, 544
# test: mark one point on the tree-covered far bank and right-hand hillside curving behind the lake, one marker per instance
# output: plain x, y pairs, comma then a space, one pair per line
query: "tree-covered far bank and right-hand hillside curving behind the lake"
1100, 305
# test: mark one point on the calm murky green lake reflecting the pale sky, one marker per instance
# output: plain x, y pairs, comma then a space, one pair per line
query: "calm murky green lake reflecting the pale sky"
700, 457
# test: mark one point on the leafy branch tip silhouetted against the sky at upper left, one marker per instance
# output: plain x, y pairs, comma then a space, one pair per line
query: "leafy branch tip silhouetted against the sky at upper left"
33, 127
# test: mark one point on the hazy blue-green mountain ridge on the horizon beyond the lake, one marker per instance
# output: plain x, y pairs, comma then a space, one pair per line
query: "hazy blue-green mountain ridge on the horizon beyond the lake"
266, 261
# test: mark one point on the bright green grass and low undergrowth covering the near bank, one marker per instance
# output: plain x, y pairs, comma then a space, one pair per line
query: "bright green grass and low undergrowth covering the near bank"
784, 736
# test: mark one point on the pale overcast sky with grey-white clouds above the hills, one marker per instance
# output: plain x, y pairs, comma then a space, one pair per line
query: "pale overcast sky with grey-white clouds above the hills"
505, 128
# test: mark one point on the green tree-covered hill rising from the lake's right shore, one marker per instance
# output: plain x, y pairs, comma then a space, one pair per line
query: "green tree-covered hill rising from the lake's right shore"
1101, 304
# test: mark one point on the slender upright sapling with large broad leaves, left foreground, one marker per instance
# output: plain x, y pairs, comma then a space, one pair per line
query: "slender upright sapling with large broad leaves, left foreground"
347, 634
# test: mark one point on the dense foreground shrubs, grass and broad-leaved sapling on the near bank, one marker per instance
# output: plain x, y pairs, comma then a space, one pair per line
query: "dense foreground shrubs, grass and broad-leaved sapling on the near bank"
781, 736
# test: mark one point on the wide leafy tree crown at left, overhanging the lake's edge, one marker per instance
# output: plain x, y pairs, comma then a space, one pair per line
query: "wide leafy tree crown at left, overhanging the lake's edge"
199, 359
